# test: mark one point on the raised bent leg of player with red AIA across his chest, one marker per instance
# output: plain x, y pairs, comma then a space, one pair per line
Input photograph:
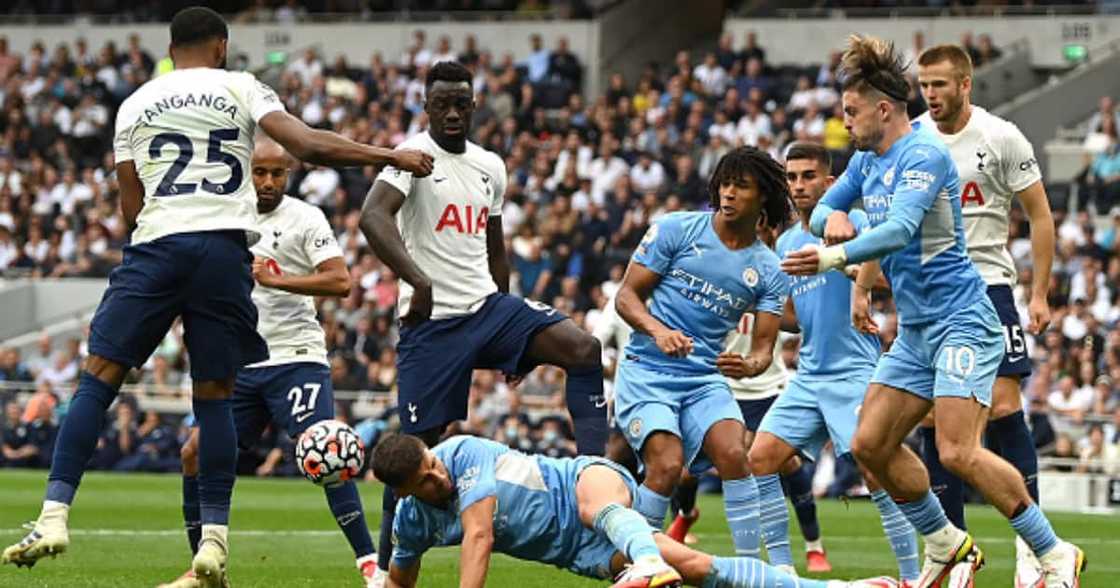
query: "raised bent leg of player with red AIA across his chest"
538, 334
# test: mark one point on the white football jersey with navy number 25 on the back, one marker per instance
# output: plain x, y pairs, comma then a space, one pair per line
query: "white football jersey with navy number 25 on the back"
191, 134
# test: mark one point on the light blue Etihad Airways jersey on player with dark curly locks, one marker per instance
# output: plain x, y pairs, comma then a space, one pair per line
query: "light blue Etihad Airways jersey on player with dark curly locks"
705, 290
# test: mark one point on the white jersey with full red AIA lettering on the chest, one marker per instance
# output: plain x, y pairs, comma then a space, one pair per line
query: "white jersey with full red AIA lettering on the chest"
444, 222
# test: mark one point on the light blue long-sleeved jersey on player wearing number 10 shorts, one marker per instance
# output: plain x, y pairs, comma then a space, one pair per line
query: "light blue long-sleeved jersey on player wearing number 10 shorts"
912, 198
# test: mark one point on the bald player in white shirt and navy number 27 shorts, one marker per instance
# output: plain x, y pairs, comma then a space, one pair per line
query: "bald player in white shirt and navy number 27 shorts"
296, 260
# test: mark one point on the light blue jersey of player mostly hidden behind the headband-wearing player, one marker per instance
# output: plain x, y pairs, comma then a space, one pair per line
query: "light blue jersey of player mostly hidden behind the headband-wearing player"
829, 342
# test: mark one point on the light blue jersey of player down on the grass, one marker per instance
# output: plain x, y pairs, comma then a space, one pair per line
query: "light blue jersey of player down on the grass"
536, 517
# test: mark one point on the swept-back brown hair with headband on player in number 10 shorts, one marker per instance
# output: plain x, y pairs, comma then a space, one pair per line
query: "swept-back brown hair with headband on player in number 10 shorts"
872, 63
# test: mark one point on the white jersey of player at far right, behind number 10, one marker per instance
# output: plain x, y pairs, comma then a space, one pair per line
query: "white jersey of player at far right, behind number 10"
995, 162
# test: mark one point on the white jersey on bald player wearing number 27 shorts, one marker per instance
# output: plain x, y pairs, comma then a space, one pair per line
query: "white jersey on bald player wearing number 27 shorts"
298, 238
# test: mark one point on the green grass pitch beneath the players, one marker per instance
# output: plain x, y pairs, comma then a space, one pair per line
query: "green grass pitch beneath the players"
127, 531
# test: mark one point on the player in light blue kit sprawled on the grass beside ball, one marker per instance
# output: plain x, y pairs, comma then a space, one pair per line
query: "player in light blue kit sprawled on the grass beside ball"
573, 514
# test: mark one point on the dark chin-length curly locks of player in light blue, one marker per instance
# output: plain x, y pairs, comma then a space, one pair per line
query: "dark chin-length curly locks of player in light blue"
769, 174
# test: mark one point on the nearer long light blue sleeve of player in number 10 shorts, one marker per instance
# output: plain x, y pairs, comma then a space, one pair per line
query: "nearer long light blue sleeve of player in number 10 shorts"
921, 180
